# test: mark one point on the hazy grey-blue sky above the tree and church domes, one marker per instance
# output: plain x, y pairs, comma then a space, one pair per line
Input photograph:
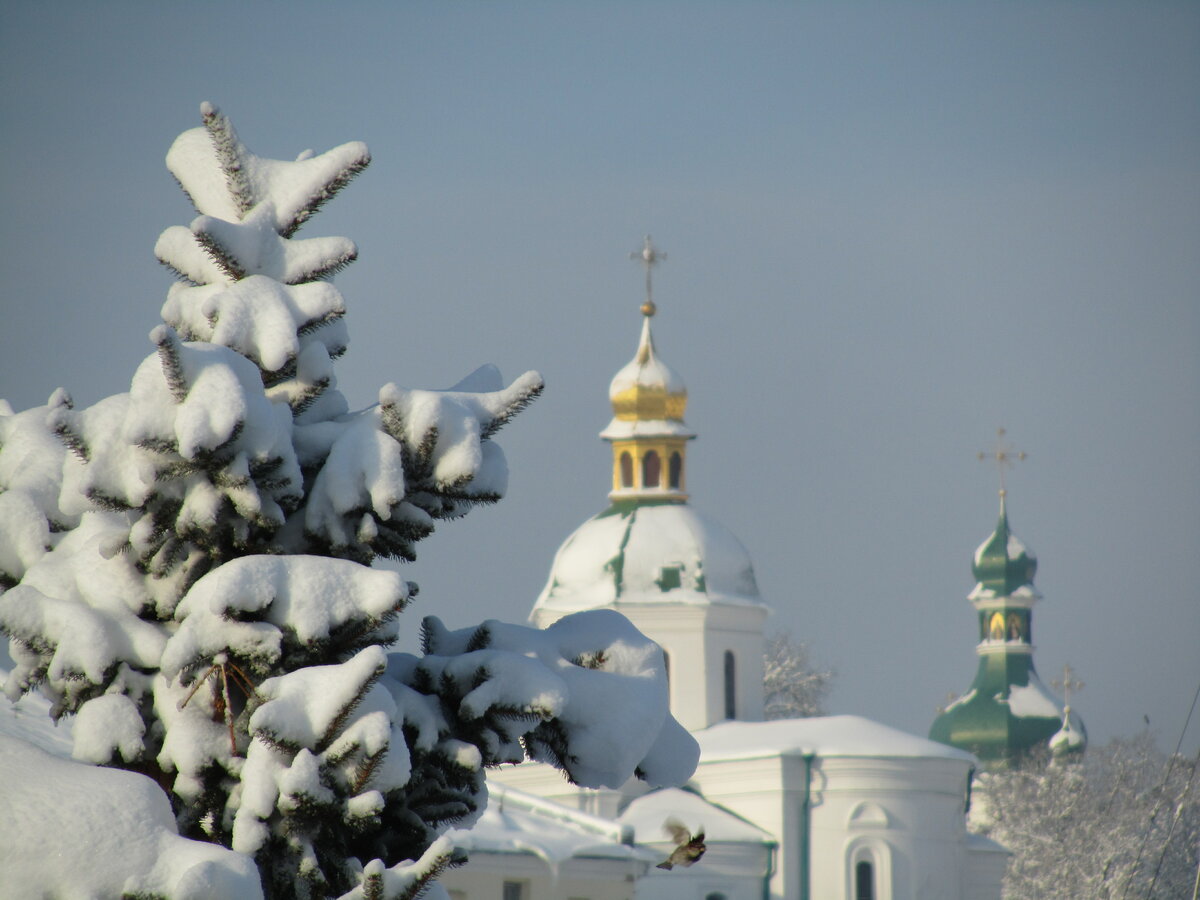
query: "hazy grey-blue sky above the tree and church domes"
891, 230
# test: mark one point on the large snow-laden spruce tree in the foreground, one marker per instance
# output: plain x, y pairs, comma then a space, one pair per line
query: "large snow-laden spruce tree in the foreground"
185, 568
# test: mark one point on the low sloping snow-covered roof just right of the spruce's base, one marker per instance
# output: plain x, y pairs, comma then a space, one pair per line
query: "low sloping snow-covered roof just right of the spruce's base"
519, 823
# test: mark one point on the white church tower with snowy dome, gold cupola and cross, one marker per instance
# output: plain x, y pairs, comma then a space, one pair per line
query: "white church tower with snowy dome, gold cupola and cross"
679, 575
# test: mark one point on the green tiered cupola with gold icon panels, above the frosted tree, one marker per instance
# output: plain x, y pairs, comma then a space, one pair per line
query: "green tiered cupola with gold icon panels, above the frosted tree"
1009, 712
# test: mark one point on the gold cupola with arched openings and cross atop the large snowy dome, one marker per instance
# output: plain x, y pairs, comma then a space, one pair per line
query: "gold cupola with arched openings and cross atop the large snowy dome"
647, 431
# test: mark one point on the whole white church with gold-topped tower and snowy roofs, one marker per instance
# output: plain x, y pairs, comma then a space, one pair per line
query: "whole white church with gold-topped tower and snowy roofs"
837, 808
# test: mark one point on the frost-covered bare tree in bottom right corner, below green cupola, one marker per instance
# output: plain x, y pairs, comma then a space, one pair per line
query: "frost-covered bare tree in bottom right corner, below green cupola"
1123, 824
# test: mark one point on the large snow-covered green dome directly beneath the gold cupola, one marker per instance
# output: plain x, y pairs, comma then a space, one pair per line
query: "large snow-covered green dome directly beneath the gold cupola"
650, 554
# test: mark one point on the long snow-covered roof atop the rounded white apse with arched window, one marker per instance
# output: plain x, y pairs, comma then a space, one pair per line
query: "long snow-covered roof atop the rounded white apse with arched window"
823, 736
